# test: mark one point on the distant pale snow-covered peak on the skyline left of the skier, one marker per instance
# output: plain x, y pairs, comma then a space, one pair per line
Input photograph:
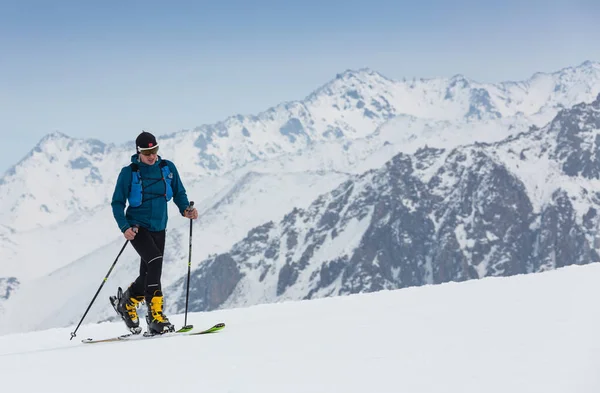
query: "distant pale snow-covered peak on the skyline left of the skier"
60, 177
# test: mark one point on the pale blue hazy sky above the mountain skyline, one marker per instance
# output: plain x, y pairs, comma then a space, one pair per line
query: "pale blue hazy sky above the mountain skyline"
109, 69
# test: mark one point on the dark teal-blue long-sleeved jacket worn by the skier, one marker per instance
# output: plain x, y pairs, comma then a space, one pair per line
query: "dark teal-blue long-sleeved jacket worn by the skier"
152, 213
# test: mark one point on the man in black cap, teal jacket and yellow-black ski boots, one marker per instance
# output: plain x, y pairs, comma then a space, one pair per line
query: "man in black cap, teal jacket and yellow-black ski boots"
147, 184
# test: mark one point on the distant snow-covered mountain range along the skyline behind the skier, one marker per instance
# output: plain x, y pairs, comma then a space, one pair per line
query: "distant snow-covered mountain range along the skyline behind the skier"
62, 176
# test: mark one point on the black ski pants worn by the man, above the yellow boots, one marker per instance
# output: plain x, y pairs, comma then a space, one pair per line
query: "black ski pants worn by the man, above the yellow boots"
151, 247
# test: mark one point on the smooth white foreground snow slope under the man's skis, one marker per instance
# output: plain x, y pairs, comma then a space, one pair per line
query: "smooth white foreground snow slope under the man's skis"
533, 333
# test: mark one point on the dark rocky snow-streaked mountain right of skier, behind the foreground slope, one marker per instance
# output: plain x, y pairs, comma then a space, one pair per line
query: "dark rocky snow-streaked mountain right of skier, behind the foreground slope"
526, 204
